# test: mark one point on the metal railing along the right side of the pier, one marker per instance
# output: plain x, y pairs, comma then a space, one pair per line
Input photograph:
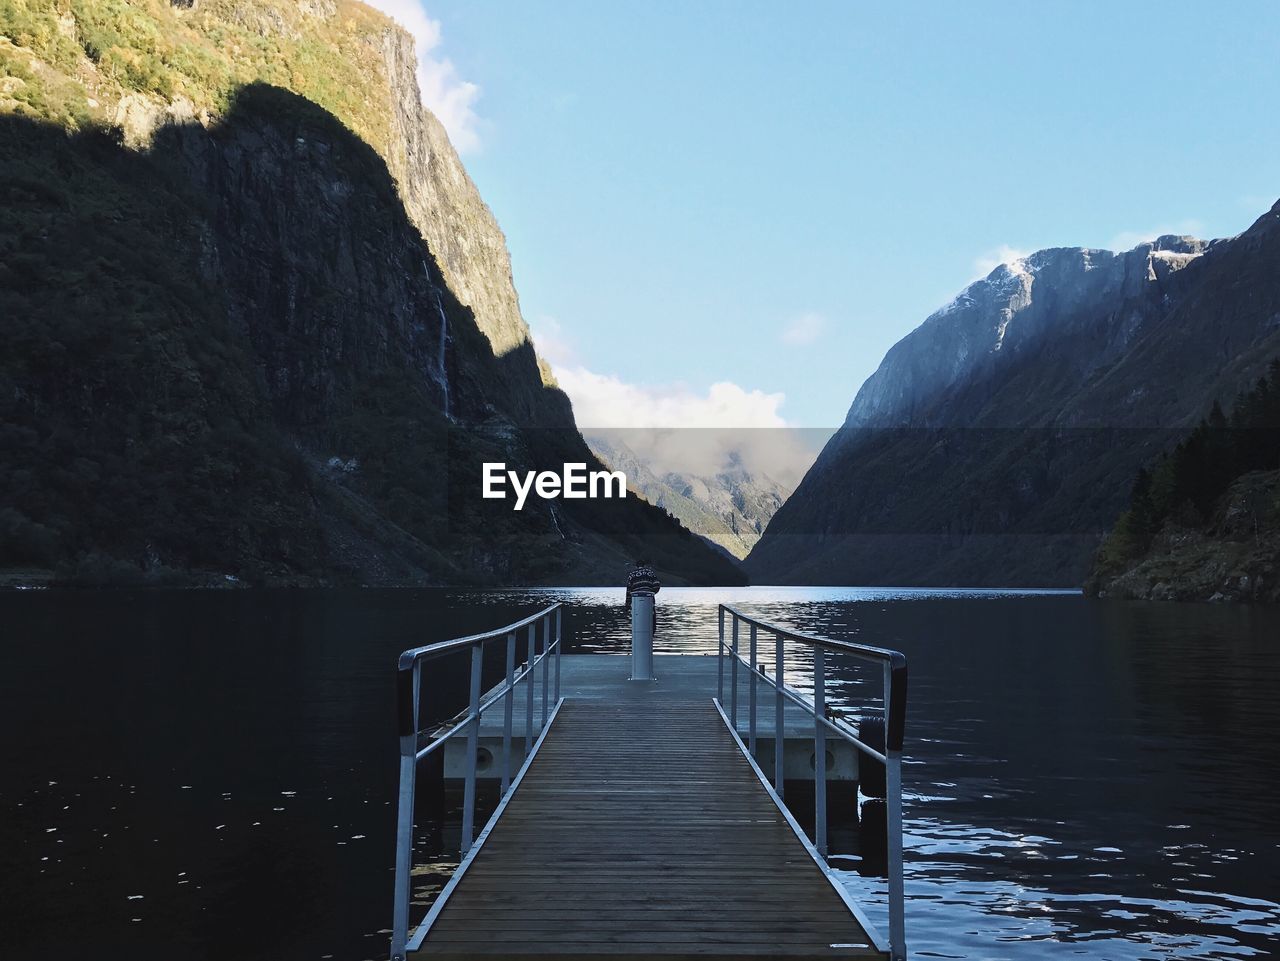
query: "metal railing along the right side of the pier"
894, 671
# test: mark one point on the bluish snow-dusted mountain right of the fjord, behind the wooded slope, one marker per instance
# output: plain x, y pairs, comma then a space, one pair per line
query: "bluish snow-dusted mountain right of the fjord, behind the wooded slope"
998, 442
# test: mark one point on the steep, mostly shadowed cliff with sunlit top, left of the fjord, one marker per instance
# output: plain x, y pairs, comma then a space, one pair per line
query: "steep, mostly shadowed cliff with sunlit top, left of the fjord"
260, 323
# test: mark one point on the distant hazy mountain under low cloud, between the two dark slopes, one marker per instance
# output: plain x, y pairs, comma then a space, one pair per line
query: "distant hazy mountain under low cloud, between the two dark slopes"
730, 507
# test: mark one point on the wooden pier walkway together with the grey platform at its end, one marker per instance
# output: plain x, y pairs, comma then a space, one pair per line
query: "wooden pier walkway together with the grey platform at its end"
639, 825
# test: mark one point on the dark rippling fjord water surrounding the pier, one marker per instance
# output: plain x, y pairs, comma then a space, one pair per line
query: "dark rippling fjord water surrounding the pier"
212, 775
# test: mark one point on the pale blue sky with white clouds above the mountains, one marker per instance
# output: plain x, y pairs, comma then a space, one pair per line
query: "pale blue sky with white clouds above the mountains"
766, 198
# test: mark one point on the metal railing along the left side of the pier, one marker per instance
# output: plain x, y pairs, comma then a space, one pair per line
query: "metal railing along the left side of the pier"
409, 703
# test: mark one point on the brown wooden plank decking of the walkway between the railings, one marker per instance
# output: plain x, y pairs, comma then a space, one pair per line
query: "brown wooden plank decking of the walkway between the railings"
642, 831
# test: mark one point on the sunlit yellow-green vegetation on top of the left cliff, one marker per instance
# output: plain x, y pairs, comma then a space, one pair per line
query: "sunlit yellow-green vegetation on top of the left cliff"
74, 62
